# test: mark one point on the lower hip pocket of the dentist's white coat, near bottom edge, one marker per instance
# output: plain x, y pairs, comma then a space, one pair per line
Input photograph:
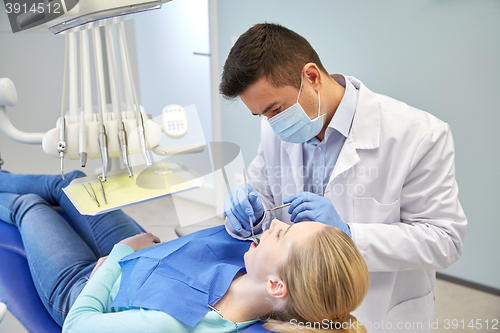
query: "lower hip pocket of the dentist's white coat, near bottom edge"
414, 315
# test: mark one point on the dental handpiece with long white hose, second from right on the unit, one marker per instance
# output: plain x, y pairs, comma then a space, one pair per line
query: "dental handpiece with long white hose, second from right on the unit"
122, 134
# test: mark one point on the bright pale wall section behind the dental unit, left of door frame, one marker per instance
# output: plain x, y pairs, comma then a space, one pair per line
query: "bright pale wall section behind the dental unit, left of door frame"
174, 66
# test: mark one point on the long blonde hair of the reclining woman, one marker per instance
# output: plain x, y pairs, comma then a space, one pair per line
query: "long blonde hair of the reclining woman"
327, 279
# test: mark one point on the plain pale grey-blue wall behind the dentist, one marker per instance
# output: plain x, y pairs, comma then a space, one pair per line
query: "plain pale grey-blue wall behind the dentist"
440, 56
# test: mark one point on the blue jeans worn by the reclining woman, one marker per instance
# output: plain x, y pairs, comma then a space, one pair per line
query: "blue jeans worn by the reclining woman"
60, 256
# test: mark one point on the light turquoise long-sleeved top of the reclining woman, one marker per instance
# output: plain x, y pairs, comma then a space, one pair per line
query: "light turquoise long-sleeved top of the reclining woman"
88, 313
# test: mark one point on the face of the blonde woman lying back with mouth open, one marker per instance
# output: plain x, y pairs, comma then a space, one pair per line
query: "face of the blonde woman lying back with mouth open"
275, 244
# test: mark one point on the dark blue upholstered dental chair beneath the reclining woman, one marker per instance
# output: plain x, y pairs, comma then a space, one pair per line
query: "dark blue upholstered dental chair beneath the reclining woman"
18, 292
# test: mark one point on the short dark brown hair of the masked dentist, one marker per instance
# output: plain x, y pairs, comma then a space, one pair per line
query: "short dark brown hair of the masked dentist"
266, 50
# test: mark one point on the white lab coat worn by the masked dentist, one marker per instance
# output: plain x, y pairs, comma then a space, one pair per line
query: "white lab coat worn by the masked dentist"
394, 184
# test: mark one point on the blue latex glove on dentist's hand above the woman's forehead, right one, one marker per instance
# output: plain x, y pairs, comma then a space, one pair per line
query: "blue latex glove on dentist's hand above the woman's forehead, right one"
307, 206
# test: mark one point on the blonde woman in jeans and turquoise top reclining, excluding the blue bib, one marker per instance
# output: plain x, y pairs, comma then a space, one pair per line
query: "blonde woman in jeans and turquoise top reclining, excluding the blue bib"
300, 278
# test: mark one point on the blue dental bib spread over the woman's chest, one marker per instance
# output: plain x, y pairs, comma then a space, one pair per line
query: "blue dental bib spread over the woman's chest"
183, 276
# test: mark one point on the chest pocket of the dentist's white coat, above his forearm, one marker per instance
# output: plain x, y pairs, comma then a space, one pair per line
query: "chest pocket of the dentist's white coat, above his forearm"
369, 210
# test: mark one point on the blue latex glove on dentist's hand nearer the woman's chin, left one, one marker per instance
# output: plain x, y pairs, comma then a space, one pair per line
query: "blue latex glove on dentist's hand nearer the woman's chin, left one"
238, 209
